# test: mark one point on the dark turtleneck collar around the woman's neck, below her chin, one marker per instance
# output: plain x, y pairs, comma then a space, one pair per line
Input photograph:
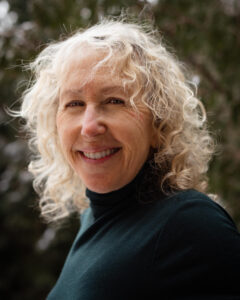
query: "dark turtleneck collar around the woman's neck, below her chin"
101, 203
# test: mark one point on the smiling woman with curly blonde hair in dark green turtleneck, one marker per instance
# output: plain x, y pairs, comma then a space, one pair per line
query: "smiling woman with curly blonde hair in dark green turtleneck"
112, 116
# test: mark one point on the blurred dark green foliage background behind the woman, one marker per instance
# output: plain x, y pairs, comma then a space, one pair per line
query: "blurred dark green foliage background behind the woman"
205, 35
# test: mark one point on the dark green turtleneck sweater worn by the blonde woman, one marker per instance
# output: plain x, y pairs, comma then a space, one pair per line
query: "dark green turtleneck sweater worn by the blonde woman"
183, 246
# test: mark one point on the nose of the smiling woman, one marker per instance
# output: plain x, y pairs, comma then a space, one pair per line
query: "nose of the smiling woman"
92, 123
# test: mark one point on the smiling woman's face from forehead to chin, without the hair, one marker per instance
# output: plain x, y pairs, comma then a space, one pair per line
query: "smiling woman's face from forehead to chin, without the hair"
102, 137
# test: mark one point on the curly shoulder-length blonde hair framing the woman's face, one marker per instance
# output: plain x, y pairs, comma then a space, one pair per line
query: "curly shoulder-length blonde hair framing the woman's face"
184, 146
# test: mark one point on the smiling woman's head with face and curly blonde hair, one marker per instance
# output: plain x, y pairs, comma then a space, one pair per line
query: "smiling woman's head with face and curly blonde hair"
113, 89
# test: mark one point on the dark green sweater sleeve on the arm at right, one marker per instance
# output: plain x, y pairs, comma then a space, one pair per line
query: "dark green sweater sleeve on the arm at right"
198, 252
